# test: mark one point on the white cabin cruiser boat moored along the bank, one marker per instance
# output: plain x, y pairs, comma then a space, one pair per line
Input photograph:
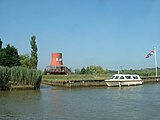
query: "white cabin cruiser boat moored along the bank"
124, 80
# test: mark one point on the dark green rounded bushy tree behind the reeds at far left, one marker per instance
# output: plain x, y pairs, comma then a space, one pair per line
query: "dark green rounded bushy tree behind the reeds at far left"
9, 56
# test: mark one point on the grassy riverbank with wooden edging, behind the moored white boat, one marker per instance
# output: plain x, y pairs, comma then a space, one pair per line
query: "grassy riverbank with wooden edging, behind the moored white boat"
85, 80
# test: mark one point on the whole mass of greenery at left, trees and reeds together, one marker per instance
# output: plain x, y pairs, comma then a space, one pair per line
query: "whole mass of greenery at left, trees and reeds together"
18, 69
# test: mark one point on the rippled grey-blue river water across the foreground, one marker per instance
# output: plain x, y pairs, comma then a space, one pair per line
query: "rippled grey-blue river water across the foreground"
90, 103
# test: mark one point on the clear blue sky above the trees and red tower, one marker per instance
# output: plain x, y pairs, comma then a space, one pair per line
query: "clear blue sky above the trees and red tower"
114, 34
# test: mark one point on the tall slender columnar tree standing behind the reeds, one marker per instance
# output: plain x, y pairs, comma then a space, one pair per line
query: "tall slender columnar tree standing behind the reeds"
34, 54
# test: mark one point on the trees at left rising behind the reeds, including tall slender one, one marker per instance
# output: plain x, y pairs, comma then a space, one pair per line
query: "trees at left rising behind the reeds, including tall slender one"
10, 57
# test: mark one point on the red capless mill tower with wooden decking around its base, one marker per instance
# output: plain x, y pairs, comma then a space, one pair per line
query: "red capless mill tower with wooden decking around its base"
56, 66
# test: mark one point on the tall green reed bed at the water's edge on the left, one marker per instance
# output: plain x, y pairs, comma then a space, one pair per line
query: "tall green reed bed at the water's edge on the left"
19, 76
